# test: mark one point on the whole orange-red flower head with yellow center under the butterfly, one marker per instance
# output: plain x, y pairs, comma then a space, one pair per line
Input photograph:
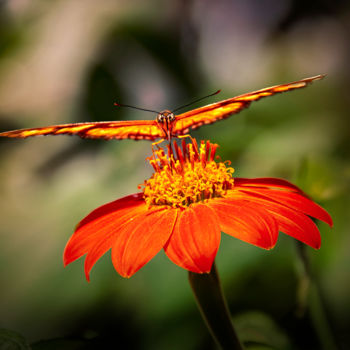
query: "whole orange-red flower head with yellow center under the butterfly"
184, 206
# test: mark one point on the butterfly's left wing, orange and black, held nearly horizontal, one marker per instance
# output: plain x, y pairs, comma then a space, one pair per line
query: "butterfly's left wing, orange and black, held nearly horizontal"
136, 130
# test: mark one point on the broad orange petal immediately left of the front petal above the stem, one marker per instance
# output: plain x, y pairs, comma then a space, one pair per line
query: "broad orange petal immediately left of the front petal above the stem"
141, 239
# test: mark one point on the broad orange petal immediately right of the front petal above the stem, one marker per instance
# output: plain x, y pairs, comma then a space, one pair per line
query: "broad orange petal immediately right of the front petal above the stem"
246, 221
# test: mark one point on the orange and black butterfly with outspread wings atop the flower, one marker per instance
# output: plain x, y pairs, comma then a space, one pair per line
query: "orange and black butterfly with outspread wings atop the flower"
166, 125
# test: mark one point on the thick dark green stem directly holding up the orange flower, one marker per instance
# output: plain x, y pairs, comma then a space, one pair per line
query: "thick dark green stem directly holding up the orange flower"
212, 305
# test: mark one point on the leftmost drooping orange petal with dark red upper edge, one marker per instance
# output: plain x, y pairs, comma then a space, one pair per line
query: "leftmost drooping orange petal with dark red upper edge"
99, 227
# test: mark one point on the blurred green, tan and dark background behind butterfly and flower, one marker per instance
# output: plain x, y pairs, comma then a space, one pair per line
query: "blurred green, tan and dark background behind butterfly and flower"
68, 61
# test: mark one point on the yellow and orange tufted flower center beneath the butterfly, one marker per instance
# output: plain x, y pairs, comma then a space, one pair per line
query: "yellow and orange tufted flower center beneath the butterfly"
187, 176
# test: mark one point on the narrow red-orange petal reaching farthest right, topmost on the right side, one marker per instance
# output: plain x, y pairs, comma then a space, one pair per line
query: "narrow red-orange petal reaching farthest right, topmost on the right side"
294, 201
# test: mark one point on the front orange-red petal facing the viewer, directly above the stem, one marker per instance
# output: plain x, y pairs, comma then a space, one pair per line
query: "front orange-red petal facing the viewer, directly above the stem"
195, 240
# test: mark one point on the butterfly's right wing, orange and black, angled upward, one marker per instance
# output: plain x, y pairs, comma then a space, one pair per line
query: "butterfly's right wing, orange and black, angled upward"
211, 113
